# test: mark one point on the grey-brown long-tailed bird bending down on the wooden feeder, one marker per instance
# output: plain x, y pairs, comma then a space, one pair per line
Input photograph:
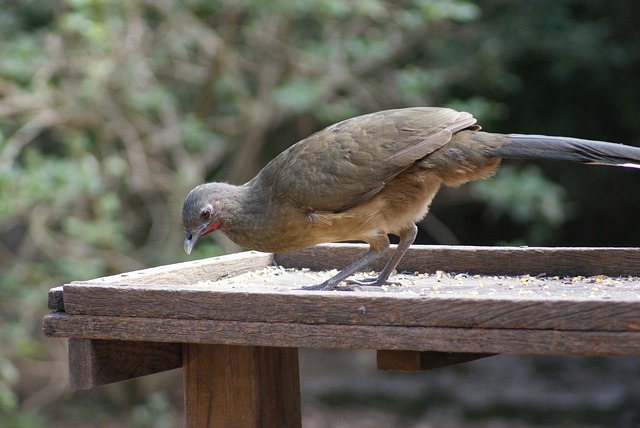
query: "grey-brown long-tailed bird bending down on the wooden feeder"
368, 177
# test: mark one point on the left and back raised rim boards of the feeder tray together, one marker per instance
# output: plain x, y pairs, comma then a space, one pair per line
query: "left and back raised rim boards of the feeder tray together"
421, 258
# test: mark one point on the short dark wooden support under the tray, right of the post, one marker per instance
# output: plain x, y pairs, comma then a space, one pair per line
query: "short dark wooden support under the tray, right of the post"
414, 361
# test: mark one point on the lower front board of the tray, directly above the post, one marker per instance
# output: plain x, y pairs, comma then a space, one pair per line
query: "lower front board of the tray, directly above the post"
480, 340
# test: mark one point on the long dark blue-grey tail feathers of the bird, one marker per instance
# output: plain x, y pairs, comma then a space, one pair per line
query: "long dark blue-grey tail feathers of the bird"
568, 149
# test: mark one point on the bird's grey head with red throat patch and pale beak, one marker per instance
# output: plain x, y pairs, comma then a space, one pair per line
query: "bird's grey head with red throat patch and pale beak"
200, 215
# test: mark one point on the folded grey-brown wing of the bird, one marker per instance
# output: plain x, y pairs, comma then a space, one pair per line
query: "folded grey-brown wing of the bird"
349, 162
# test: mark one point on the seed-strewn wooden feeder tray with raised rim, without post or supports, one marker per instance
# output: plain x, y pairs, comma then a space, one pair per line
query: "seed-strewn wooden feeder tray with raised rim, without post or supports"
561, 301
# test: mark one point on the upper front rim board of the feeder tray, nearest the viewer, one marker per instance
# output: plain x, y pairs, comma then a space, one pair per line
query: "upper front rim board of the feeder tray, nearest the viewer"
374, 308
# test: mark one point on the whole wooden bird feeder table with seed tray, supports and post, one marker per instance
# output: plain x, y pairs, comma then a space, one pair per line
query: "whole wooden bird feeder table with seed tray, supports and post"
237, 338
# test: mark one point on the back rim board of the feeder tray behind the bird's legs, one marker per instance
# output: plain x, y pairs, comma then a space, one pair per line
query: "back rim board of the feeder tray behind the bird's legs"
481, 260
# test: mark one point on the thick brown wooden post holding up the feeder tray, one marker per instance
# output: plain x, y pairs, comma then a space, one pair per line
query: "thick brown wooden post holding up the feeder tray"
241, 386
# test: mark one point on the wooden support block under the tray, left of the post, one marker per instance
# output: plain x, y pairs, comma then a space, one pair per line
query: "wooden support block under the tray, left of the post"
94, 363
